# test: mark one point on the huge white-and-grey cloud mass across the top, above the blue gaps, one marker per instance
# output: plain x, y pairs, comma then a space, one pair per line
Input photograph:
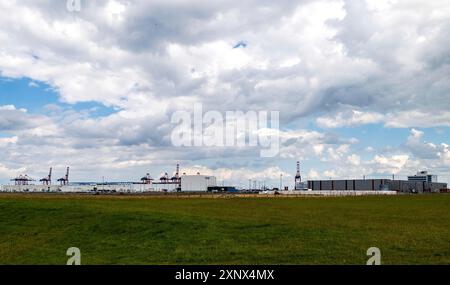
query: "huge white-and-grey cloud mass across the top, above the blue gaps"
125, 54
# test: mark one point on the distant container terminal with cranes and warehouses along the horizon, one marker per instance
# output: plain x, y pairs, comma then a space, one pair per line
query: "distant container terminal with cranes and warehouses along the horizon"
422, 182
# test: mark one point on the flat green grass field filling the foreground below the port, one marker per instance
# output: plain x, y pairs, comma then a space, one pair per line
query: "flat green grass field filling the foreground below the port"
38, 229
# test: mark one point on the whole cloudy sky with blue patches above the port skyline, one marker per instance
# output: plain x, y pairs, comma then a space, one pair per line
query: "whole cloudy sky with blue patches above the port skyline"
362, 87
